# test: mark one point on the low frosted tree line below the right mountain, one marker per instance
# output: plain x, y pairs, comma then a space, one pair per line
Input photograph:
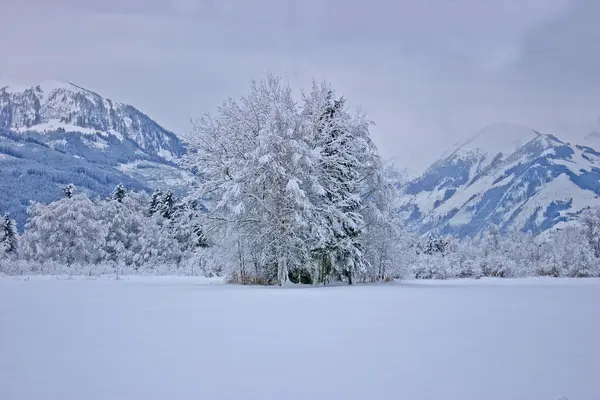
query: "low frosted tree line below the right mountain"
570, 252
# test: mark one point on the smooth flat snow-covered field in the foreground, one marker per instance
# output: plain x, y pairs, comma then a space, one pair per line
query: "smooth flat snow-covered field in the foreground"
184, 338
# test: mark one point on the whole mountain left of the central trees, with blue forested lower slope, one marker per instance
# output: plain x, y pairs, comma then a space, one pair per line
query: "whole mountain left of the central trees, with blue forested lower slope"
55, 133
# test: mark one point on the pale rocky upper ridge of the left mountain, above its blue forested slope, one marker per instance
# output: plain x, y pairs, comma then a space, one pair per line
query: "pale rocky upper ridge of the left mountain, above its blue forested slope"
60, 106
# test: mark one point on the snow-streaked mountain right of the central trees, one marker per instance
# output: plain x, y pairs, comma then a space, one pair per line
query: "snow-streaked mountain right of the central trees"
506, 175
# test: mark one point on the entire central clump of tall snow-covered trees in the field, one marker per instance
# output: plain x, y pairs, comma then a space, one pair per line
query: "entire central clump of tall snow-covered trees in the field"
289, 182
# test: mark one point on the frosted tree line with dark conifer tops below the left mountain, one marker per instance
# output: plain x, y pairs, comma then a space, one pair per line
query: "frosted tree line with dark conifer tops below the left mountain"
128, 232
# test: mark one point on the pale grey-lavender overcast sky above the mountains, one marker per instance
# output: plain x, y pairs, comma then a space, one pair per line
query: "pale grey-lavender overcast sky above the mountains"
428, 72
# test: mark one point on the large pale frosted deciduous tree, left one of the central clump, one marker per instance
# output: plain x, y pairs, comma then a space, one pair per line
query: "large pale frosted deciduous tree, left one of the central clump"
255, 164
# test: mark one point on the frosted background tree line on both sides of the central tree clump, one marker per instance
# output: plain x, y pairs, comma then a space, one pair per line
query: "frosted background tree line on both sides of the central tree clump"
134, 233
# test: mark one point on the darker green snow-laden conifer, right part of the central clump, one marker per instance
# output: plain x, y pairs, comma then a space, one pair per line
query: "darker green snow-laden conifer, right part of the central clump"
346, 175
